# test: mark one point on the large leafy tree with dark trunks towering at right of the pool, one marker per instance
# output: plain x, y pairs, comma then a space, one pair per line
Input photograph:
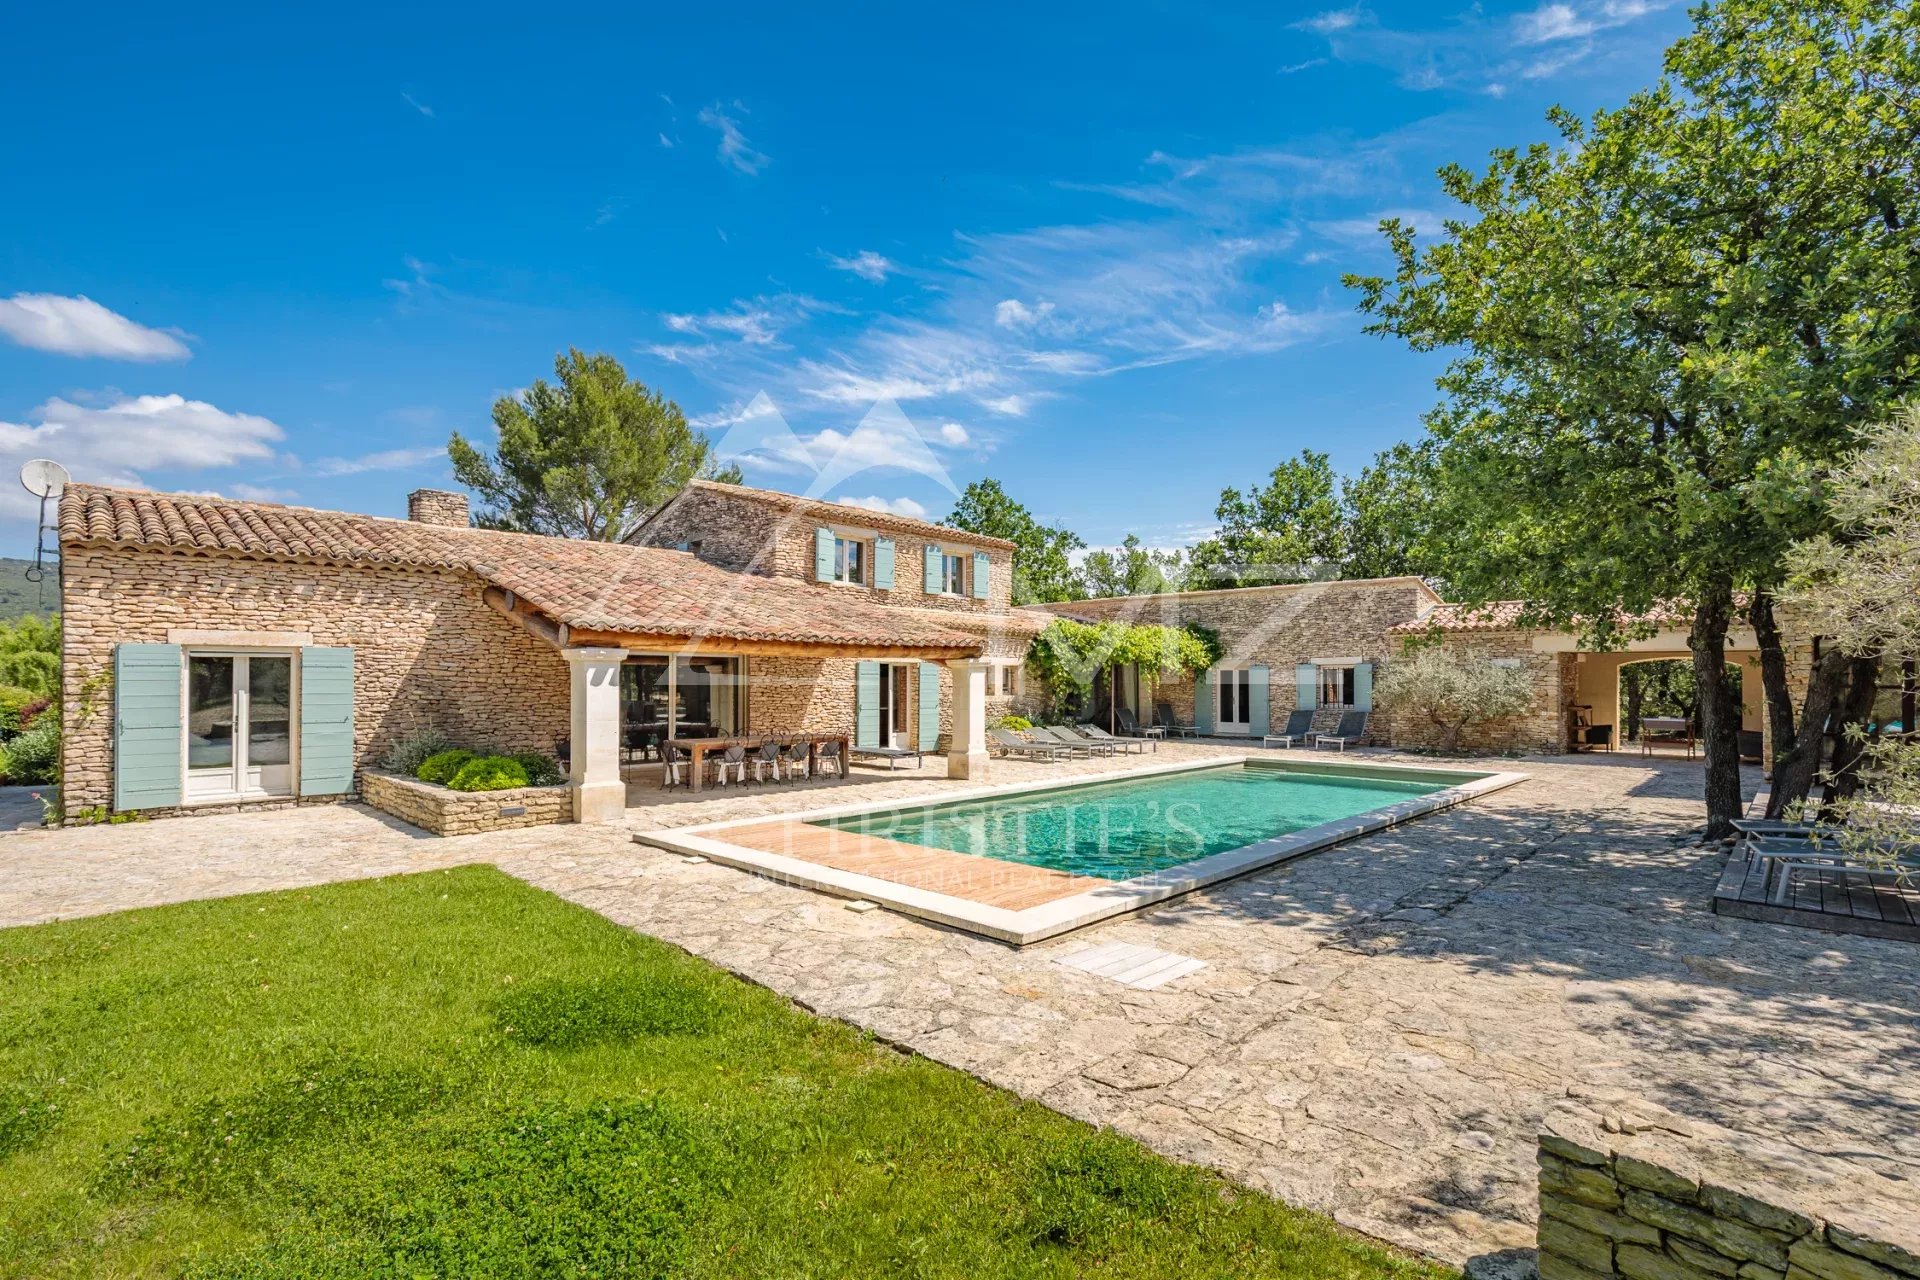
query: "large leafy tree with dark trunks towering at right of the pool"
1666, 329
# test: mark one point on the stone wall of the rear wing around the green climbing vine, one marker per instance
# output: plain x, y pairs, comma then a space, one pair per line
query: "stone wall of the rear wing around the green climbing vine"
1280, 628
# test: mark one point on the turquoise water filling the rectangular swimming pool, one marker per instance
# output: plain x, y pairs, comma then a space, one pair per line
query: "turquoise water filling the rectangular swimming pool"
1134, 828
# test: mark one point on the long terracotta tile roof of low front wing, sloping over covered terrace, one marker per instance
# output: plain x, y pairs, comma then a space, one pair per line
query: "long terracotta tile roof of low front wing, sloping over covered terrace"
587, 586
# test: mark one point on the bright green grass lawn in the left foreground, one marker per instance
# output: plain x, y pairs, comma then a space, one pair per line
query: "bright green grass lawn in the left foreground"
454, 1074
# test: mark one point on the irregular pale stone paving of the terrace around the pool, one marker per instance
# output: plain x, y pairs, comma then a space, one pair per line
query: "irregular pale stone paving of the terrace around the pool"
1380, 1028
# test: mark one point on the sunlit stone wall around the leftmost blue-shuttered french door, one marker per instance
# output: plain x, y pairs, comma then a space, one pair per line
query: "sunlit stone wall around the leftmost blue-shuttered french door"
427, 650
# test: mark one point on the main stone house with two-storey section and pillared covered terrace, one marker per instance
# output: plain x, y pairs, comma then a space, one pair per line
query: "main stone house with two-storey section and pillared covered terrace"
224, 653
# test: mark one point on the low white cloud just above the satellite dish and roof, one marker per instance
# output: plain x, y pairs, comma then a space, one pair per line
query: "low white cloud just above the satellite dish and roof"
122, 437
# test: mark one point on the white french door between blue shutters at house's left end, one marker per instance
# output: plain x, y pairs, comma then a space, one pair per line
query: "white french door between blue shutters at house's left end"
239, 726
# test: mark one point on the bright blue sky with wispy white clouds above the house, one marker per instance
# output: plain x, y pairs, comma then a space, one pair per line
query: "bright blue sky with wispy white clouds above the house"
1093, 252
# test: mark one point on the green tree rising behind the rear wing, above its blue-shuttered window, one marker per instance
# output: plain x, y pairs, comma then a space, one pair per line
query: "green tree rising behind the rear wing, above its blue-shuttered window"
1289, 531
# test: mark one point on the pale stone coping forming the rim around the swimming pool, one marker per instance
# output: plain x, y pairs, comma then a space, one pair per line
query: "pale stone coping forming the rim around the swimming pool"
1063, 916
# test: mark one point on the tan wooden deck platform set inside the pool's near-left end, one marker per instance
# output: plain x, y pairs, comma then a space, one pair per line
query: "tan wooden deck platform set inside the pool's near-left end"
990, 882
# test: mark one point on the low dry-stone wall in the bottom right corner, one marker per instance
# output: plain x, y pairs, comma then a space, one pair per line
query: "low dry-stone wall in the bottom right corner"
1656, 1197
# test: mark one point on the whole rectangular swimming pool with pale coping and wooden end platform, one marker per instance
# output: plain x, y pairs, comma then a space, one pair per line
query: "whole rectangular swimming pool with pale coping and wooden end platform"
1034, 861
